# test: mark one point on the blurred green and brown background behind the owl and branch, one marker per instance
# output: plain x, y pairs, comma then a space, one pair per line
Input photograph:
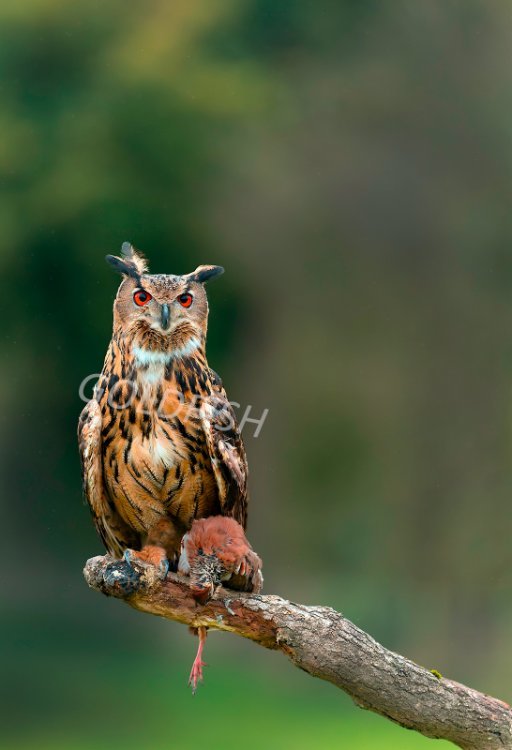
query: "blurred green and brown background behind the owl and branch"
350, 164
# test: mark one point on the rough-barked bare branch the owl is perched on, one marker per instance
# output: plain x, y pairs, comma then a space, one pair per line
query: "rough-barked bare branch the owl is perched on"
322, 642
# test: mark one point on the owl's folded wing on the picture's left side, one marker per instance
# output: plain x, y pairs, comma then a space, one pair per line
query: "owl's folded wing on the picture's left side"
115, 534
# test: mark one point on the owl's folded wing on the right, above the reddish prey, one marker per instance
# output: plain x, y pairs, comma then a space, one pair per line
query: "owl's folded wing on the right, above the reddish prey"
227, 452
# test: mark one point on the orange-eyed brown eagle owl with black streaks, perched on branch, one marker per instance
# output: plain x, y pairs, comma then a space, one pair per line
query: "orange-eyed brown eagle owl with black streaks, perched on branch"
159, 442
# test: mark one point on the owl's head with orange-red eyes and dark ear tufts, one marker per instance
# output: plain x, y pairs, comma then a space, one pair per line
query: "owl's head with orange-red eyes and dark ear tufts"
161, 311
